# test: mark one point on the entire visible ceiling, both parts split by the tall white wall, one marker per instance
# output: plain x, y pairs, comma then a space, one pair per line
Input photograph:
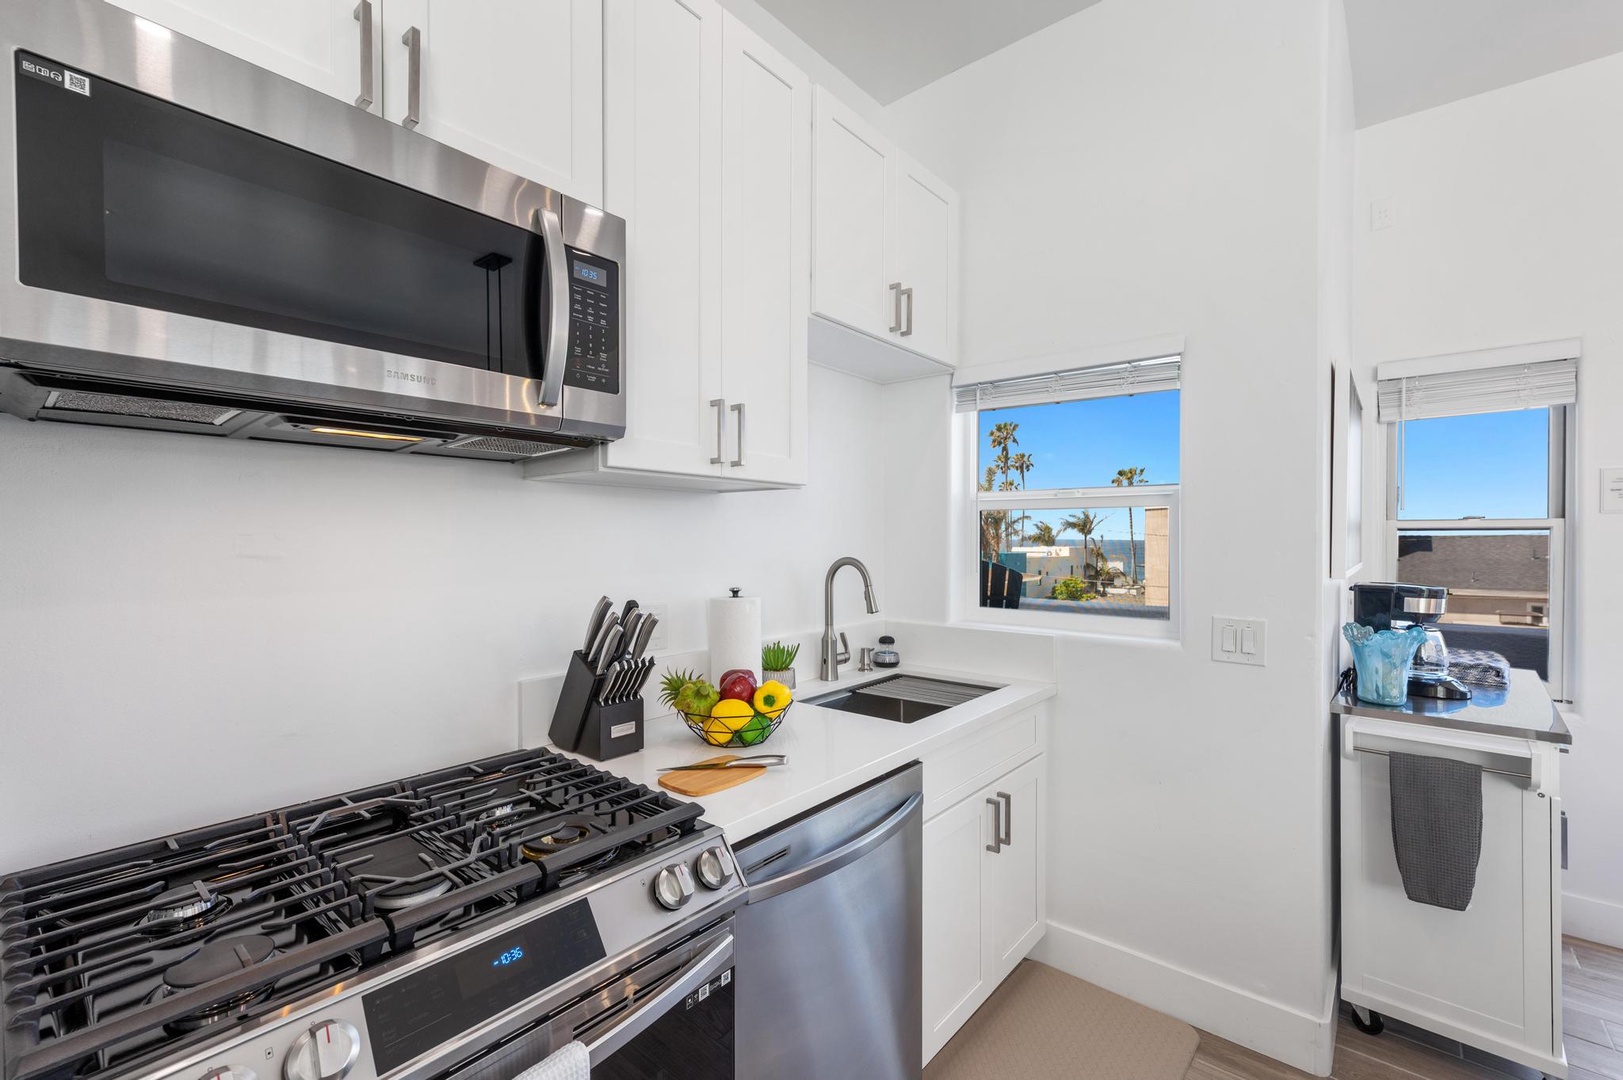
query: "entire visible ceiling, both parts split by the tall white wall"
1406, 54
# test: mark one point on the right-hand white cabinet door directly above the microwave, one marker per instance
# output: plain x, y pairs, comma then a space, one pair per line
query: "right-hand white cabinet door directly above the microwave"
519, 84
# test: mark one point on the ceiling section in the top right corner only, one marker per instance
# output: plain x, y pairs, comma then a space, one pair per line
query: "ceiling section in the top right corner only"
1416, 54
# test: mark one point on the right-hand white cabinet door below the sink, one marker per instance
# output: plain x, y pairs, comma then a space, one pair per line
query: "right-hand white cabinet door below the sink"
1012, 883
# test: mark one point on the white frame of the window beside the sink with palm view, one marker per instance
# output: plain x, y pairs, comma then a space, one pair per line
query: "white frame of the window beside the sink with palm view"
966, 558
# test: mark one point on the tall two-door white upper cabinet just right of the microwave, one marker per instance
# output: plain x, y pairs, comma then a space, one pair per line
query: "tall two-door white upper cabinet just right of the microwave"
708, 158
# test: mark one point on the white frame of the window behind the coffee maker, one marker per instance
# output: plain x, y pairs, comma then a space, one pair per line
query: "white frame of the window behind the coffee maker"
1559, 499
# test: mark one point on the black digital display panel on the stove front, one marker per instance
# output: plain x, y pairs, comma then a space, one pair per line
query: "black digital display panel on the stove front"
421, 1011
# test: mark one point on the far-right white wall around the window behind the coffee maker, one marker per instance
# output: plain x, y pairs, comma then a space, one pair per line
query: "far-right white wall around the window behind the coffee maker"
1510, 230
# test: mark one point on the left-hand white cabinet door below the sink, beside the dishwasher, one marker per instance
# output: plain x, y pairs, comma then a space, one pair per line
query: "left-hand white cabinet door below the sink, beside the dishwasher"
955, 977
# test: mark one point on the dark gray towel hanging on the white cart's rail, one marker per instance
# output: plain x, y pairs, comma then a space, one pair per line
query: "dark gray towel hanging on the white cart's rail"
1437, 827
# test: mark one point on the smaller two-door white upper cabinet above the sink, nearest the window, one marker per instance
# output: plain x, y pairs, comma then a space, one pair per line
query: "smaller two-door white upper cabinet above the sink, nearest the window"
885, 251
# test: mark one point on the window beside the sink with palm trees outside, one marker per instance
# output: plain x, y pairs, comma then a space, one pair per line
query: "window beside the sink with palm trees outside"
1077, 491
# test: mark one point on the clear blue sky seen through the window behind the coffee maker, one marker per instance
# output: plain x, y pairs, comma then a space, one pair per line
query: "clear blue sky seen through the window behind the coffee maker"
1494, 465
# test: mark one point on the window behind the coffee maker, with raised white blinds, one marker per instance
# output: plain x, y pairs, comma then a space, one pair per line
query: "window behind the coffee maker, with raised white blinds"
1476, 499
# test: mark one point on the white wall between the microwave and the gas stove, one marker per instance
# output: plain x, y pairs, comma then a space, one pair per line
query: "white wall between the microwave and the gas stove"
196, 629
